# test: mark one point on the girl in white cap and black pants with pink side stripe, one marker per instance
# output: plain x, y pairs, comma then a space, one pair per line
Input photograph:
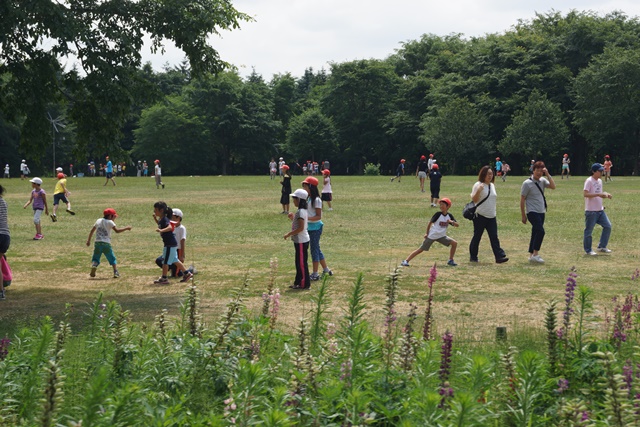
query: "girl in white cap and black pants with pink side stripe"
300, 238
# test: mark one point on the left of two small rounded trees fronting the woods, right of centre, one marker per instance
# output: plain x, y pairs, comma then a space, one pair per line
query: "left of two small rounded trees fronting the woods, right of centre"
457, 133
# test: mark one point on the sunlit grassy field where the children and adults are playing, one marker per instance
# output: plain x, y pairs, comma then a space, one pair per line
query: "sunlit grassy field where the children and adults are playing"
235, 227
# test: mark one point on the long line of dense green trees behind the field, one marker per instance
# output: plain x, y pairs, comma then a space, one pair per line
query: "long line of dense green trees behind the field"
555, 84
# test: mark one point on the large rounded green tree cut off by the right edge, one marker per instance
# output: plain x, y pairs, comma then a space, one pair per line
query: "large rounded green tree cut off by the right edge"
607, 97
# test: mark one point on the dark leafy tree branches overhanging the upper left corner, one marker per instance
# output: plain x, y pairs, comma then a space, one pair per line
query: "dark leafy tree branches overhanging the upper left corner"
104, 38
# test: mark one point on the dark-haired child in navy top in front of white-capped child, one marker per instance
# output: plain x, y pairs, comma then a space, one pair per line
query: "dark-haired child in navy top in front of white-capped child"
162, 216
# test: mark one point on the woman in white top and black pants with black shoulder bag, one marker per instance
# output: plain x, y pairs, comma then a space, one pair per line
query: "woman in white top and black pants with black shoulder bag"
485, 218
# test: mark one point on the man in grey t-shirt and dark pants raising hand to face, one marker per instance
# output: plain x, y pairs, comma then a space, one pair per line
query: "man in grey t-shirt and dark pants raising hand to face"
532, 198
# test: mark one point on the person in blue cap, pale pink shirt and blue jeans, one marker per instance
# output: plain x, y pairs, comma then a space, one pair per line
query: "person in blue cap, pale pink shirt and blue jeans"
594, 211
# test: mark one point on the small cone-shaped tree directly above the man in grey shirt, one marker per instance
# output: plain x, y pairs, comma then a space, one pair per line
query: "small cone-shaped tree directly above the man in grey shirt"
538, 130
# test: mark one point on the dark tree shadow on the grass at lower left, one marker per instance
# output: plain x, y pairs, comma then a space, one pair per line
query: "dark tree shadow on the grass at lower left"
24, 306
